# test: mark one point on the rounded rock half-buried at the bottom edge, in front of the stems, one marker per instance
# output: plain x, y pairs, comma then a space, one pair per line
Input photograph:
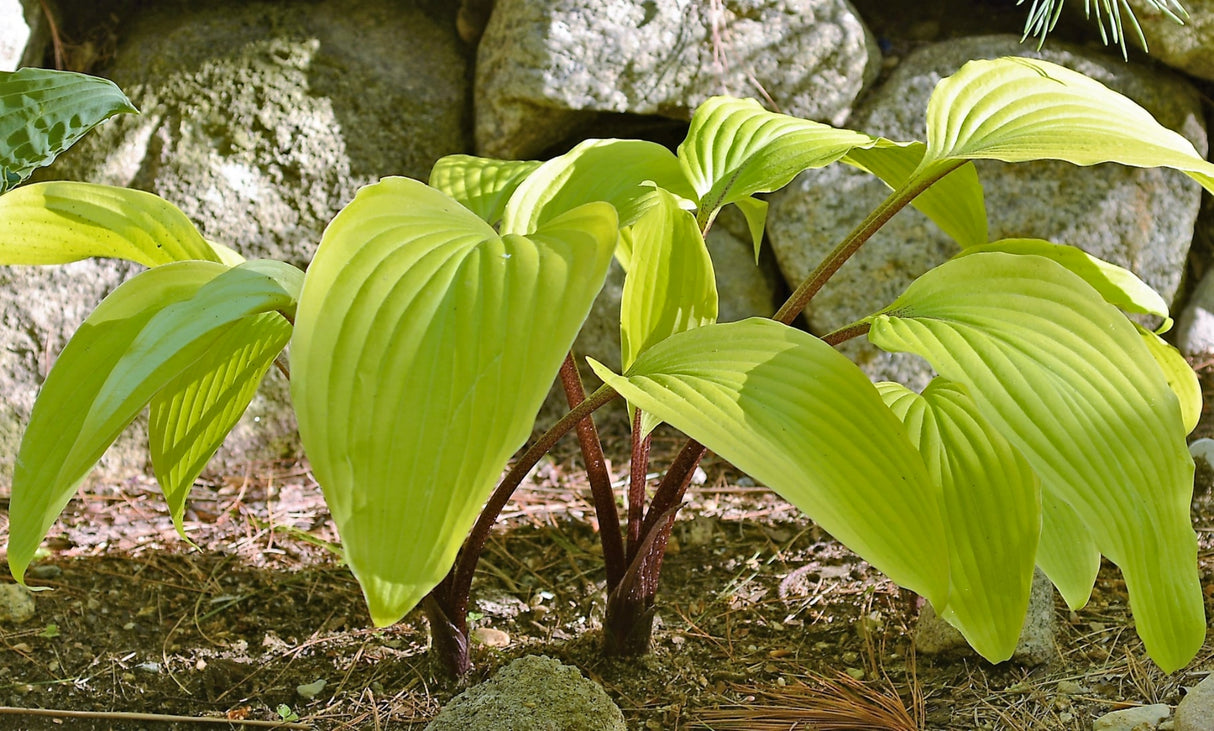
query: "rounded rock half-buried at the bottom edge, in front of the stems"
532, 694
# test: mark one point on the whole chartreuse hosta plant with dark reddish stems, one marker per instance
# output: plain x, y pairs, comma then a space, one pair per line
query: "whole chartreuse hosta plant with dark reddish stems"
434, 319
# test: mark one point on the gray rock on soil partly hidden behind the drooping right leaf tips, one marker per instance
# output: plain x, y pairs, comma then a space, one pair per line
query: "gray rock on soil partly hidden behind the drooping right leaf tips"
1035, 648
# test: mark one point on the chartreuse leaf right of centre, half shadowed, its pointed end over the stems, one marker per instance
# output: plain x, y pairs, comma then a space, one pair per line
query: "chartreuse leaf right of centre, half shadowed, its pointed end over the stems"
796, 415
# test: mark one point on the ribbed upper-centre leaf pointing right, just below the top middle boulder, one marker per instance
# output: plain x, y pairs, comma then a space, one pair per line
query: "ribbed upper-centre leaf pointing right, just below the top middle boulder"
736, 149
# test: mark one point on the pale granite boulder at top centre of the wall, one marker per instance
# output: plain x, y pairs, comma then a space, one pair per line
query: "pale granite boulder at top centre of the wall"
546, 67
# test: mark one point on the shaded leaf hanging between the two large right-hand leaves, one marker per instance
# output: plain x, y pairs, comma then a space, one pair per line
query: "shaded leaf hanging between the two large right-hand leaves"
990, 500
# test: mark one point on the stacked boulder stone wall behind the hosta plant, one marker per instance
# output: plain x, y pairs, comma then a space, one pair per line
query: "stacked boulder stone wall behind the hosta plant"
262, 120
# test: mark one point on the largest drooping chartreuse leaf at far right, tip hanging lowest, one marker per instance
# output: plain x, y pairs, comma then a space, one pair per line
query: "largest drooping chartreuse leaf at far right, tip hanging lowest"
1071, 384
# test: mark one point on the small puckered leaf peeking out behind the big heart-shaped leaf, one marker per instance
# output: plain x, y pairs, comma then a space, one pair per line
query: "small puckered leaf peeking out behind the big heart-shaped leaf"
483, 185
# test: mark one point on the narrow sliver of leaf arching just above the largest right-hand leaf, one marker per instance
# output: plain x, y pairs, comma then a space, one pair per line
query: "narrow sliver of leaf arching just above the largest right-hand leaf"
1120, 287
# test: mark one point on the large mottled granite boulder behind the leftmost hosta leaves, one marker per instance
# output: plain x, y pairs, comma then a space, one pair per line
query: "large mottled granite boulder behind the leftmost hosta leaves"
260, 121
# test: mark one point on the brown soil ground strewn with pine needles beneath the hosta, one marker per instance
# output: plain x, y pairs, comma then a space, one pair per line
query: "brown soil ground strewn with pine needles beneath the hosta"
764, 621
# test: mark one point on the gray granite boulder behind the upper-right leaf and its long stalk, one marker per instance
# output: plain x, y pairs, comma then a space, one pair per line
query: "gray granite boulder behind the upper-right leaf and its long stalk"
1139, 219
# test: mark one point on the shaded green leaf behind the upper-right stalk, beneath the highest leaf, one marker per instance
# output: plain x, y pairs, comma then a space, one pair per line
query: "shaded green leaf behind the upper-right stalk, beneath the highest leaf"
955, 202
